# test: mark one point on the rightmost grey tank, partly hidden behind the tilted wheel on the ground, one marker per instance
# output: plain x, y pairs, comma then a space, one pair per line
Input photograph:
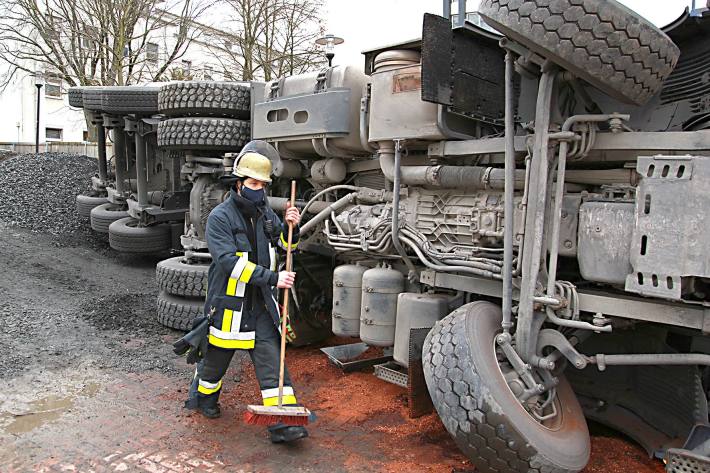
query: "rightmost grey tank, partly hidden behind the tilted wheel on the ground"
416, 311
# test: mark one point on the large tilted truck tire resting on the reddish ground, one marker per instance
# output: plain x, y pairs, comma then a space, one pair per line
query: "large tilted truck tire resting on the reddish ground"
478, 408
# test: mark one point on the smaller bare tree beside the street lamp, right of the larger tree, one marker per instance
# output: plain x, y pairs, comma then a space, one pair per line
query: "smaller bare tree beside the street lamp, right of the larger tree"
265, 39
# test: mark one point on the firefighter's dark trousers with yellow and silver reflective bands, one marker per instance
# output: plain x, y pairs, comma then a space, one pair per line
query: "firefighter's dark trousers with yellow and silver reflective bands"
207, 382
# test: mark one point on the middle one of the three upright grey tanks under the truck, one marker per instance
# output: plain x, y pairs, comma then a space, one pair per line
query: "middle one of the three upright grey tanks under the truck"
380, 288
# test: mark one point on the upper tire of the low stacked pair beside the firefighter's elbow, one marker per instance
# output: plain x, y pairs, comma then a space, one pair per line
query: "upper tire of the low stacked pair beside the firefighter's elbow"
179, 278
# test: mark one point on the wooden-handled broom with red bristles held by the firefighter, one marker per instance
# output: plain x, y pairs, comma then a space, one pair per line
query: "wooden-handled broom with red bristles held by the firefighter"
289, 415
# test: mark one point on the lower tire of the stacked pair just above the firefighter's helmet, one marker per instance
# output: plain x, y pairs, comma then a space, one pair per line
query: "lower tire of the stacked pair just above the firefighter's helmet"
210, 134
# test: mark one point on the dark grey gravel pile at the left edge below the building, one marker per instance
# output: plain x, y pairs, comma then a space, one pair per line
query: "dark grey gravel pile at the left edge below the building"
38, 191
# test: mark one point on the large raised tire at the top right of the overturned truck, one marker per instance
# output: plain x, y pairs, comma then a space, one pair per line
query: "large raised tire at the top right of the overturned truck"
600, 41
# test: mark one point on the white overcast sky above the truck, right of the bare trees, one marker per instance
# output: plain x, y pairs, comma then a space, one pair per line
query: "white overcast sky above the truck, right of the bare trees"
366, 24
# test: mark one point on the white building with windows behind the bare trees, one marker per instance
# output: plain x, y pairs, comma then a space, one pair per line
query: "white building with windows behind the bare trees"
58, 122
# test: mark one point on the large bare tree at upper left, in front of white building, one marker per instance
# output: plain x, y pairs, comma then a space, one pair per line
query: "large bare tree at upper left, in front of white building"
96, 42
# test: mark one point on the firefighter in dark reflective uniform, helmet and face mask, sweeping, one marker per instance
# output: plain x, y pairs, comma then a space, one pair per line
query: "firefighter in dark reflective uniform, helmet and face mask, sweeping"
241, 304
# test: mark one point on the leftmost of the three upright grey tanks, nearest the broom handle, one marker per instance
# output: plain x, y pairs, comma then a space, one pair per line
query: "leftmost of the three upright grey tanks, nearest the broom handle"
347, 295
